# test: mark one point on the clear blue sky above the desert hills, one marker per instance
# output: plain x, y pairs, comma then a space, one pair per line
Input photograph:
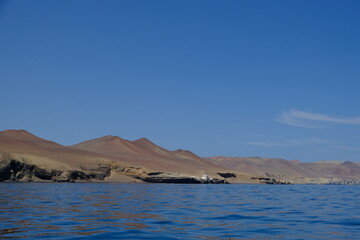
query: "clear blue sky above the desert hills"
235, 78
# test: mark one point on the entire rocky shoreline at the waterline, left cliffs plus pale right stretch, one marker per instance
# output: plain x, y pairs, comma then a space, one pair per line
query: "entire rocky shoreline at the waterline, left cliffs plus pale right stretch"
12, 170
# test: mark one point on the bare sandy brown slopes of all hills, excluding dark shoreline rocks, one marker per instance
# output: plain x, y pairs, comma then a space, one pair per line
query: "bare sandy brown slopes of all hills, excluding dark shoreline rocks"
128, 159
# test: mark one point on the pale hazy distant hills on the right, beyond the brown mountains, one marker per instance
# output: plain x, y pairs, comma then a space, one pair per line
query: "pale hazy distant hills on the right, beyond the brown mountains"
335, 172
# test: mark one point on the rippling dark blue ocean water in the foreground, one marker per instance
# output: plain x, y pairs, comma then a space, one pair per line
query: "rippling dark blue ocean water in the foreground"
171, 211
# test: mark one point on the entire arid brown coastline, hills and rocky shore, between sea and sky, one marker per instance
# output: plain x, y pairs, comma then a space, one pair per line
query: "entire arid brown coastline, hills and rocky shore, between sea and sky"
26, 157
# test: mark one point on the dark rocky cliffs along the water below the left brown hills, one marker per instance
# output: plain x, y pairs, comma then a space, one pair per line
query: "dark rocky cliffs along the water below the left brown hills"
15, 171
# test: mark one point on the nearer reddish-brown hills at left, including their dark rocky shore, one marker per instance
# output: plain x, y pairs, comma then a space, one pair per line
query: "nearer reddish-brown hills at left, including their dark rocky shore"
24, 156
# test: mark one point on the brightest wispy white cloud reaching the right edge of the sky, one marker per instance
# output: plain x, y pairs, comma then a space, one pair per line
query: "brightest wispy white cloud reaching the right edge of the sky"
312, 120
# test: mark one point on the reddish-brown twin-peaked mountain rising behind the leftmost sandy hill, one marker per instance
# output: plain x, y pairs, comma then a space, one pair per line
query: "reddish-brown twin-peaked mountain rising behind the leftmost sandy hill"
143, 152
